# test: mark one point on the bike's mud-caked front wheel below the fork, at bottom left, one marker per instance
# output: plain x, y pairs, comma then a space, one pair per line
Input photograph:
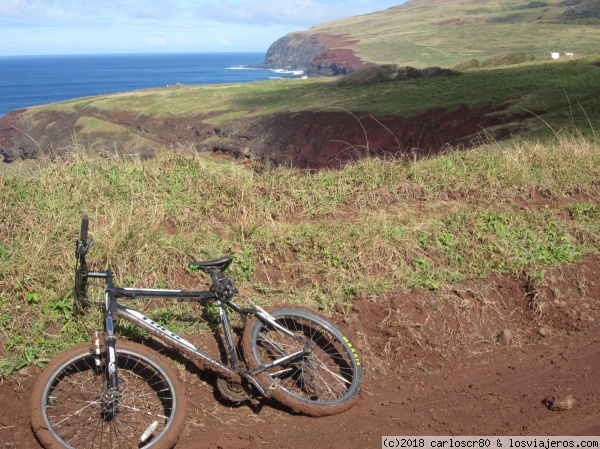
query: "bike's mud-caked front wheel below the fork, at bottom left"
70, 408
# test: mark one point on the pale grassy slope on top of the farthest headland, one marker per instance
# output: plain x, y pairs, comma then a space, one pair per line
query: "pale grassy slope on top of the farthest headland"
425, 33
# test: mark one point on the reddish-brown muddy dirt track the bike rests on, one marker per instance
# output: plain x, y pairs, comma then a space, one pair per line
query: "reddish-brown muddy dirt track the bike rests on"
484, 358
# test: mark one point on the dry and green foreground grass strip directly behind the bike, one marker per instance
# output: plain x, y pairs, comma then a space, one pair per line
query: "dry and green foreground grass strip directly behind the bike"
317, 239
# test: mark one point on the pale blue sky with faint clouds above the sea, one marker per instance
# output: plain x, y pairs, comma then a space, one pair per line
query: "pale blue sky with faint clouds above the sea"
55, 27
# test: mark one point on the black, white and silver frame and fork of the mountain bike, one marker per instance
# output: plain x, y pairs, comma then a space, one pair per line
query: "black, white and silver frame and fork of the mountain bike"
112, 309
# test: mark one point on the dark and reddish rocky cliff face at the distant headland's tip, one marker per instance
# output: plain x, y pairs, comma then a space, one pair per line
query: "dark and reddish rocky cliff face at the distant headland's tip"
315, 54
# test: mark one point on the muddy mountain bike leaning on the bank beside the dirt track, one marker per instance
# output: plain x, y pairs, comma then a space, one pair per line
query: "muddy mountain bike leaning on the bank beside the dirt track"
113, 393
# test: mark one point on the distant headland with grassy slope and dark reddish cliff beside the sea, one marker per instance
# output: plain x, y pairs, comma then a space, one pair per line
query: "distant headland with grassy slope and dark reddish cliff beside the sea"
435, 33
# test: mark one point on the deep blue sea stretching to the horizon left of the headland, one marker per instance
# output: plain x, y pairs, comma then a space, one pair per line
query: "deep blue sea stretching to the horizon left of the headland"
35, 80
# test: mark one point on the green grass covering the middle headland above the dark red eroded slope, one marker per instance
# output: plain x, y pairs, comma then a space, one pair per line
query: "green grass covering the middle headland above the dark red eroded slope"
561, 93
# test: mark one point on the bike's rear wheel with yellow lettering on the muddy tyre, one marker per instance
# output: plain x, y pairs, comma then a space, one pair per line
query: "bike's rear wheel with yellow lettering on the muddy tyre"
325, 381
